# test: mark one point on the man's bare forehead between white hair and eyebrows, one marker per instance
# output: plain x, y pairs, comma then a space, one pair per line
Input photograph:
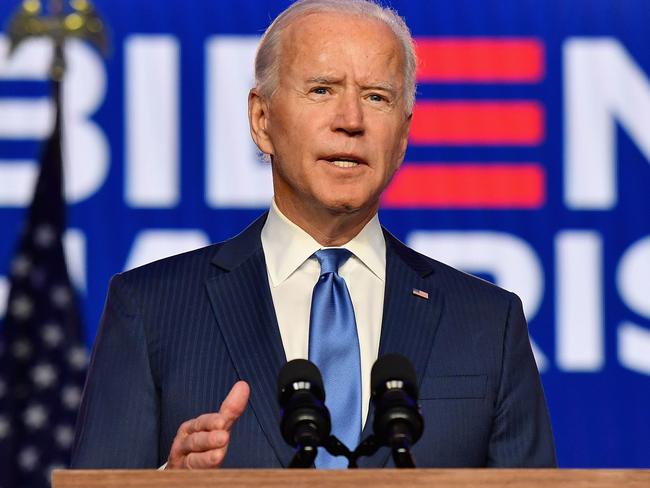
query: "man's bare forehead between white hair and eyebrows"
333, 42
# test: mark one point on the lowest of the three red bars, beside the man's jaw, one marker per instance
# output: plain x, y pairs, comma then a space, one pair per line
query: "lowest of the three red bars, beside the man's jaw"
467, 185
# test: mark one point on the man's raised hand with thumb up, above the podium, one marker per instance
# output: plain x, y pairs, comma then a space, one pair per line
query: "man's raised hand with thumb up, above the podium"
202, 442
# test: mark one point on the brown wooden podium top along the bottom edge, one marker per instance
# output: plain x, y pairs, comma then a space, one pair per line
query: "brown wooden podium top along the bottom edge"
376, 478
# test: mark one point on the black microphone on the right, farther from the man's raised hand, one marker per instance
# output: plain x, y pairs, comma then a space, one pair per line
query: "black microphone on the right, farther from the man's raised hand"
398, 423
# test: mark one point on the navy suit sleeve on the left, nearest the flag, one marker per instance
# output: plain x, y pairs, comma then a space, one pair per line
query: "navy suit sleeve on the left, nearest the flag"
118, 424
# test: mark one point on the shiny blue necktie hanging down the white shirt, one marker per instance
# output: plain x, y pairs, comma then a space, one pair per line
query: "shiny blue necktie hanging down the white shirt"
334, 348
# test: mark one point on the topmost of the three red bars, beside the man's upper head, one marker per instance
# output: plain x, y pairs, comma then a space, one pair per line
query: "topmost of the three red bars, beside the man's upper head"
480, 60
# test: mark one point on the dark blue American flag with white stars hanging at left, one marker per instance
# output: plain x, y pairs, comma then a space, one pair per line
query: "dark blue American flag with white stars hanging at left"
42, 356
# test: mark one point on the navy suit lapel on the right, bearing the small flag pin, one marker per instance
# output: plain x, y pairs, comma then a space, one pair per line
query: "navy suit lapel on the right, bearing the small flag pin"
409, 322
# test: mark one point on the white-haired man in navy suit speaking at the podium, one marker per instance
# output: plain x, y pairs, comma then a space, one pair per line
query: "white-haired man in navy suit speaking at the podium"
315, 277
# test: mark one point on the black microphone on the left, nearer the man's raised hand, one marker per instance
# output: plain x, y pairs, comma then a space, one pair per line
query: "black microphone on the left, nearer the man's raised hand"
305, 422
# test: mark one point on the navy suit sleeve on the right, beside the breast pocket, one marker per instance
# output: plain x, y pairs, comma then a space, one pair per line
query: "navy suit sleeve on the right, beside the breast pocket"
521, 431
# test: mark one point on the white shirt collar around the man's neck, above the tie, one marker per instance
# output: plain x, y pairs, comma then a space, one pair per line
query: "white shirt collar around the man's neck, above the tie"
286, 246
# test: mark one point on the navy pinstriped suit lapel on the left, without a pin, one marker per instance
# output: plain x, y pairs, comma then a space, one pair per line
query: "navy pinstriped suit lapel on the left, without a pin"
243, 307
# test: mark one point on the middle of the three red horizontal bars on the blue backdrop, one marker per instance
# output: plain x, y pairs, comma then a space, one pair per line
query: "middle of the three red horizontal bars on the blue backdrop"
519, 123
